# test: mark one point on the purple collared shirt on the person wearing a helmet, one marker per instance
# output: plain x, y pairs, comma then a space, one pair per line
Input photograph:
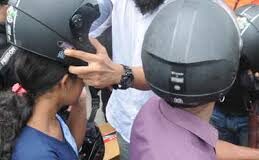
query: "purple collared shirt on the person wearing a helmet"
161, 132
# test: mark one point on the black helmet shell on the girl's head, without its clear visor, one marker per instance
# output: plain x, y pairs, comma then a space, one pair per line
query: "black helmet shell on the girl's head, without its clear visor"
48, 27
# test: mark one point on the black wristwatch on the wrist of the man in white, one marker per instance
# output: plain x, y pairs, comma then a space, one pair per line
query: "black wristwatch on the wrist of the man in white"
126, 79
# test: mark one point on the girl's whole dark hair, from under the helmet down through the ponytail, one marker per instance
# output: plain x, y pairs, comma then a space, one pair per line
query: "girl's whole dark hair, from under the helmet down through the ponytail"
35, 74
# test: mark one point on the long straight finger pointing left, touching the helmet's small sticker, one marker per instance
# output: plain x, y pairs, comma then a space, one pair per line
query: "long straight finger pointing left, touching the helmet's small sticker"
87, 57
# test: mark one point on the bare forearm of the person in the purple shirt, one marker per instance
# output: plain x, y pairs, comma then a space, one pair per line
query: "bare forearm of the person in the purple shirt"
228, 151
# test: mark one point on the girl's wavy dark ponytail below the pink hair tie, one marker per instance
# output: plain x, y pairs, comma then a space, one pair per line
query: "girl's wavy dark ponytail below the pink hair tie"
14, 113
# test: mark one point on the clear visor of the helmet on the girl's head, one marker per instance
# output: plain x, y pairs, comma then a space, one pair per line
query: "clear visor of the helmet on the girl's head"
104, 21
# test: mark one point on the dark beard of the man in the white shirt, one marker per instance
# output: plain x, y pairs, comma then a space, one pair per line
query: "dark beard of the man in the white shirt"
148, 6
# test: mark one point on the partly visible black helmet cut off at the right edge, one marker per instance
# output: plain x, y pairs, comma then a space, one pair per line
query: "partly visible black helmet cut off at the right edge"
248, 21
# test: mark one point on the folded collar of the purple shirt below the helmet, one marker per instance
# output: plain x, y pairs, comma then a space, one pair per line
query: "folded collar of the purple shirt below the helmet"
190, 122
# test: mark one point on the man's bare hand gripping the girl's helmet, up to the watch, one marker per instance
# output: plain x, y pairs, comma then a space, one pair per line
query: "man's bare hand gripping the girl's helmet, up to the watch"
101, 72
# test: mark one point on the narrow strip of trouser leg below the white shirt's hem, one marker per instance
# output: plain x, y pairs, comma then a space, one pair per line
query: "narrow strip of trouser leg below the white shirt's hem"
124, 147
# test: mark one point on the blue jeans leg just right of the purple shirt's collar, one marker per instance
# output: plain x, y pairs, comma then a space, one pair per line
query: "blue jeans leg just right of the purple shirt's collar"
219, 121
